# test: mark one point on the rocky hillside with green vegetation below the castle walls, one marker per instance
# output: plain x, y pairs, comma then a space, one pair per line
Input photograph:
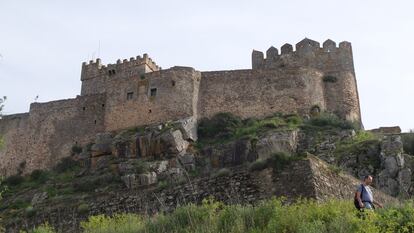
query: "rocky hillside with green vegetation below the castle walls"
239, 163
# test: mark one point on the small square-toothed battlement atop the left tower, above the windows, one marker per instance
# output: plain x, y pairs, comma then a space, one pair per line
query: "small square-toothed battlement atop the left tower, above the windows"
95, 68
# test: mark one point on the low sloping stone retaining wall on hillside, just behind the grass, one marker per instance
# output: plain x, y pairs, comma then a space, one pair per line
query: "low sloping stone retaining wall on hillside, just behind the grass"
310, 177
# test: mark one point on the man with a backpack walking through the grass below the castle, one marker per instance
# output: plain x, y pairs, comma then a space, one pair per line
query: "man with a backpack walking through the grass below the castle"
364, 197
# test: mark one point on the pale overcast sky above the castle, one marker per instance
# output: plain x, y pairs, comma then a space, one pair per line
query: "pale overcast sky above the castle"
43, 43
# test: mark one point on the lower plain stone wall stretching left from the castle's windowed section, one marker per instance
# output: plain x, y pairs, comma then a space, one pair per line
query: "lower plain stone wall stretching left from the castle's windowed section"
39, 139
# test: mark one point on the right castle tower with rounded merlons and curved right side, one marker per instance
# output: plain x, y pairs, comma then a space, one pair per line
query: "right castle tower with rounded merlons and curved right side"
336, 63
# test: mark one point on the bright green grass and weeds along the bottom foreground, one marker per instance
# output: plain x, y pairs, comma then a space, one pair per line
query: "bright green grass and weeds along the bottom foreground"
304, 216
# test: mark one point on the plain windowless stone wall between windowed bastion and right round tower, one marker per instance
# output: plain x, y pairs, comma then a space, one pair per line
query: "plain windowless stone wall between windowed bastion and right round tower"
257, 93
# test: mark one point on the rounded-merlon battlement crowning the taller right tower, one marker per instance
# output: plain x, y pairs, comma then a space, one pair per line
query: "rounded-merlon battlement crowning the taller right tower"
307, 53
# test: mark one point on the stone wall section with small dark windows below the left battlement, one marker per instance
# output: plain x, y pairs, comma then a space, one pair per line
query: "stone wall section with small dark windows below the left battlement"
175, 90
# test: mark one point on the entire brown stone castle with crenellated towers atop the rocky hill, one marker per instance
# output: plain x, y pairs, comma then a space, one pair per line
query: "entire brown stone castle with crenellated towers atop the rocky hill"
137, 92
